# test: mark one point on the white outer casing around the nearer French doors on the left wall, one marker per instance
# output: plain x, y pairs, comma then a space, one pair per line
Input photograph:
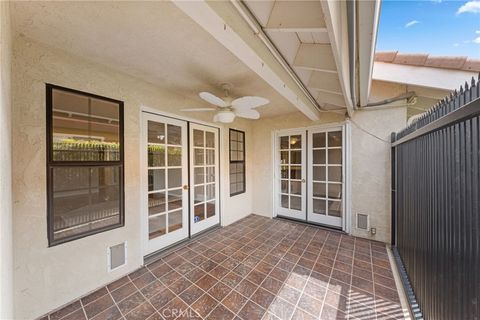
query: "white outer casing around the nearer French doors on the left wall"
144, 181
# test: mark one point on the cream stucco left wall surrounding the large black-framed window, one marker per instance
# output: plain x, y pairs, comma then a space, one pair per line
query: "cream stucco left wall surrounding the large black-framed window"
46, 278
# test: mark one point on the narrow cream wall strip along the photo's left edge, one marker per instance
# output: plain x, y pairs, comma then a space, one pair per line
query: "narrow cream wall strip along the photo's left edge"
6, 254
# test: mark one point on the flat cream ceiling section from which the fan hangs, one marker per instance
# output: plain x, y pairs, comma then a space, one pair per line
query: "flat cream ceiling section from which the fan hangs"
155, 44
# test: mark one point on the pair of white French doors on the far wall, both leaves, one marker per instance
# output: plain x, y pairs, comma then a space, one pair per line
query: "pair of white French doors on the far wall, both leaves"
311, 169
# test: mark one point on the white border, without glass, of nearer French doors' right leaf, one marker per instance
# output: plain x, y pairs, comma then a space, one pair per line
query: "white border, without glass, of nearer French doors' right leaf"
212, 221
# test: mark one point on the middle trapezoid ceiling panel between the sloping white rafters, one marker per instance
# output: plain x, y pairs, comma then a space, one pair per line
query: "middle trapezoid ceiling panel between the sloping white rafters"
315, 57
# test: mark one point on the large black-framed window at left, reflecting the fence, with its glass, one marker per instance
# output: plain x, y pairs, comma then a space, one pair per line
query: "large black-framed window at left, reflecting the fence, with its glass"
85, 185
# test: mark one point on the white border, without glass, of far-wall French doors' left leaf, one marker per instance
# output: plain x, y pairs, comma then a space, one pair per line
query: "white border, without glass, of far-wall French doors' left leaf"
294, 214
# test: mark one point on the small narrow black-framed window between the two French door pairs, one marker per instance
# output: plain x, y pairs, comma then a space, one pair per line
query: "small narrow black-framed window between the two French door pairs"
237, 162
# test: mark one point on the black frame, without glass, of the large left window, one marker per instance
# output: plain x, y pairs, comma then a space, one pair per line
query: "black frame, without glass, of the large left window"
51, 164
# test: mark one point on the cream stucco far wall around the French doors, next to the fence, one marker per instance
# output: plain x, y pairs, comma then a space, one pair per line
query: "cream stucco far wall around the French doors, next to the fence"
370, 163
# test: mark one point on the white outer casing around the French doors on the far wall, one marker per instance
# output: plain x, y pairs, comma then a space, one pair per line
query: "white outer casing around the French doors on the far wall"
347, 221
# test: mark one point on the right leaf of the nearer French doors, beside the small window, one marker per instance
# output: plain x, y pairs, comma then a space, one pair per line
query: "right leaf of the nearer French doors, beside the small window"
204, 178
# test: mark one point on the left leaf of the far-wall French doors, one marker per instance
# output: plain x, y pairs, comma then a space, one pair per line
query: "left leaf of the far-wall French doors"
291, 165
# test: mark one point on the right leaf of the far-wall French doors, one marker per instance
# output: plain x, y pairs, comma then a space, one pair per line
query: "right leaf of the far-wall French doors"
326, 176
